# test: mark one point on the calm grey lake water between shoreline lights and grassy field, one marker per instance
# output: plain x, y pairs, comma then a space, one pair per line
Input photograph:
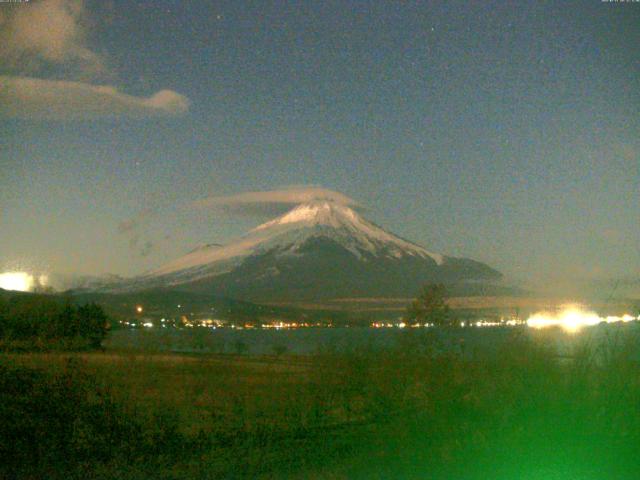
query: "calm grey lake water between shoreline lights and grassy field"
305, 341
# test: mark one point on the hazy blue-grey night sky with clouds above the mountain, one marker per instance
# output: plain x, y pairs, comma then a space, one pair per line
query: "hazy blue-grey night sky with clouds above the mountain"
508, 132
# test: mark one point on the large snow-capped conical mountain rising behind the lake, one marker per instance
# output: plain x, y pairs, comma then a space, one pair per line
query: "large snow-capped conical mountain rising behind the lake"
318, 250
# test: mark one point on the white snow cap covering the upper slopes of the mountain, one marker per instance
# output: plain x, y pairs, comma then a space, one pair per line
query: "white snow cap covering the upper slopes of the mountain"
287, 232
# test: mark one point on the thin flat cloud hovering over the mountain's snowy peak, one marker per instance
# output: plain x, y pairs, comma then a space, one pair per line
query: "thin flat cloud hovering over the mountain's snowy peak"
271, 201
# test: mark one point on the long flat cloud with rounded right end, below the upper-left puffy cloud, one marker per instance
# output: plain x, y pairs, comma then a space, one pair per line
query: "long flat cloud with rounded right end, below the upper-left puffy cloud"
34, 98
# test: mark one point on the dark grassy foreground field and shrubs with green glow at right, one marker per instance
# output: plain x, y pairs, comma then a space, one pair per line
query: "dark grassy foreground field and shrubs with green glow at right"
415, 411
